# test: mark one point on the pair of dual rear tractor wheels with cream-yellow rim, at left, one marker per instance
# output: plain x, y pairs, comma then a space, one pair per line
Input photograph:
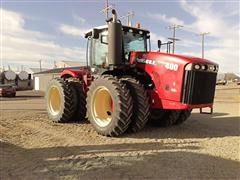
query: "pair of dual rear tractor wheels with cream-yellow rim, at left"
66, 101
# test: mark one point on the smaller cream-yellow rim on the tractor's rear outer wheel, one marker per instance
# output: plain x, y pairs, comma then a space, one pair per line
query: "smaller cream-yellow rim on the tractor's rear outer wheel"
54, 100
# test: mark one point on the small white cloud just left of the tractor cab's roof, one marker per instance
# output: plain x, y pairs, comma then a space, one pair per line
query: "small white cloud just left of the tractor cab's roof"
72, 30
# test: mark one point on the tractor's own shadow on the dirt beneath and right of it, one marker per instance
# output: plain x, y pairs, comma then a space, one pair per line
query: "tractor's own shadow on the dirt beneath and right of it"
197, 126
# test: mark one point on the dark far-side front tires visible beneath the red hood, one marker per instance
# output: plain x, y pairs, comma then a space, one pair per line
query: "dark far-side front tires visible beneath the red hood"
164, 118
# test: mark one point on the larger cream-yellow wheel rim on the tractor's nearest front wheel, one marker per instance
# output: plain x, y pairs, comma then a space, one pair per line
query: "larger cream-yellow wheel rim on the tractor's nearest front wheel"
102, 106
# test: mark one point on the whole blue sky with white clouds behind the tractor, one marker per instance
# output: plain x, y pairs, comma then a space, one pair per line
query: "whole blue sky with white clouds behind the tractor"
53, 30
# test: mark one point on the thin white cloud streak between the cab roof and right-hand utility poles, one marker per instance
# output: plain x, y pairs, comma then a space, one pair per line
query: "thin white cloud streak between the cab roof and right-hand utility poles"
164, 18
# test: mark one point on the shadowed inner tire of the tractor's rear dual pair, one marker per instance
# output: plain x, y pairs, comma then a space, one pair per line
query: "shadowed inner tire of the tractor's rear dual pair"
80, 95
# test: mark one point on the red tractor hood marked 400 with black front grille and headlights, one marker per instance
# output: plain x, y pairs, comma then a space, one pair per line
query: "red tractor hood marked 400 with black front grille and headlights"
171, 74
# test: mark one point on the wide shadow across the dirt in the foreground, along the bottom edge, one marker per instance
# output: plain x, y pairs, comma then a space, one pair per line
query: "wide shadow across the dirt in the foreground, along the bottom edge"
115, 161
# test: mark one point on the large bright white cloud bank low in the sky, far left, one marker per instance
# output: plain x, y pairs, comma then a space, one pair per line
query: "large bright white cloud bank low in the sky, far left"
19, 45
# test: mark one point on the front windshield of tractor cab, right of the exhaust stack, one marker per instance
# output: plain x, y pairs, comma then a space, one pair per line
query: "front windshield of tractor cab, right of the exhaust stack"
134, 42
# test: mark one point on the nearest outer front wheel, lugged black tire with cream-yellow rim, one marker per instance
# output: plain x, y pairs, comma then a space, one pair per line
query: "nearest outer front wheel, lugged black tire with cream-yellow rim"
111, 114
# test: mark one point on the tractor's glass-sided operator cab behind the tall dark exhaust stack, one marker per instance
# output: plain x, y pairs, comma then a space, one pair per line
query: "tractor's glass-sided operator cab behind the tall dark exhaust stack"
133, 39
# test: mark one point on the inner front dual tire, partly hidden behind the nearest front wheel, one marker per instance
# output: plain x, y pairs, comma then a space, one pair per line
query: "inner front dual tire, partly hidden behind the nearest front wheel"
140, 104
